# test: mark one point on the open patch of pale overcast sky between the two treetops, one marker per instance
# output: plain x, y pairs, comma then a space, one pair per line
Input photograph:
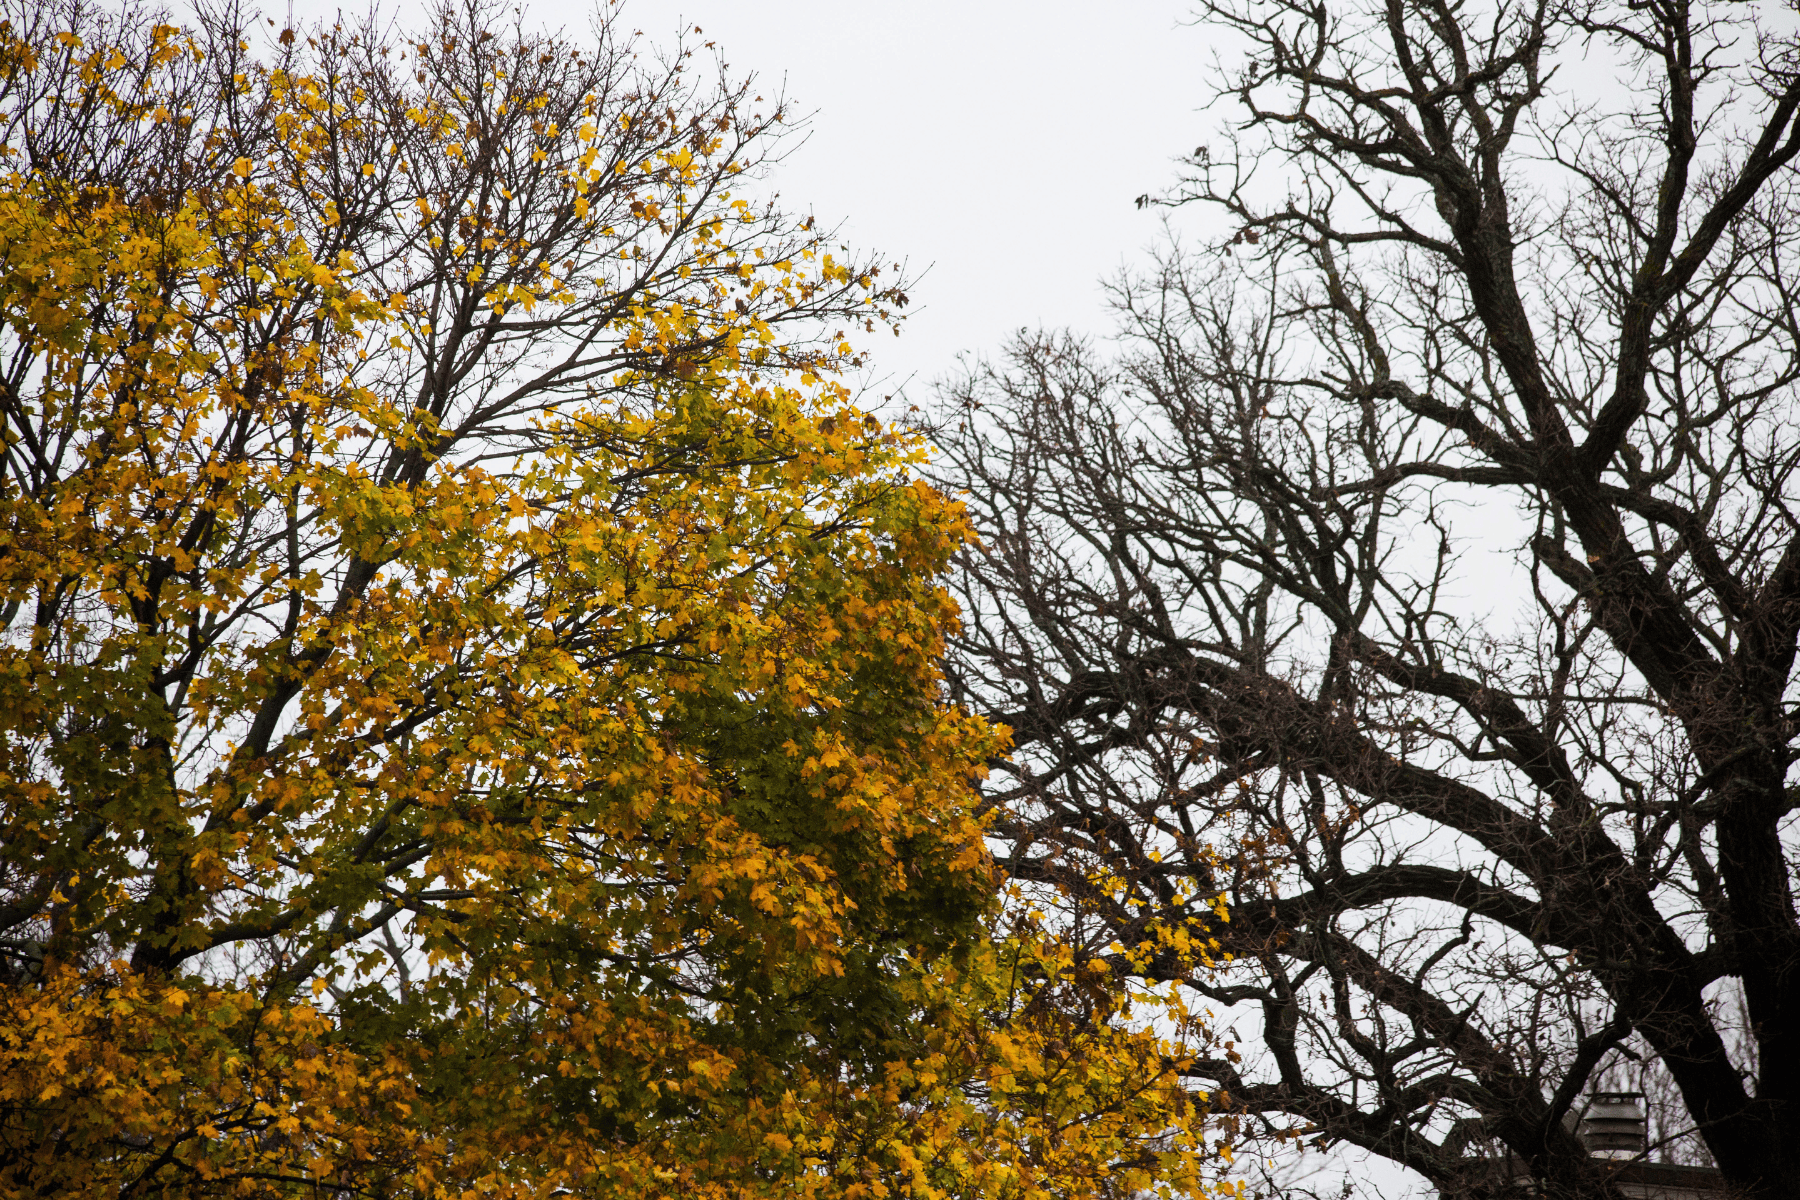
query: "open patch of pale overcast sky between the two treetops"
993, 145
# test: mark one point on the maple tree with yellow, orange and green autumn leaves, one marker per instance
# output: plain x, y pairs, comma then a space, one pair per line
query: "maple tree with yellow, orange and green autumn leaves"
469, 699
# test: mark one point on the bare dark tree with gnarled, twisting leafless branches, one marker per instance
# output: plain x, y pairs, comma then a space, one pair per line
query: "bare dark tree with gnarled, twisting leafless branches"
1421, 577
